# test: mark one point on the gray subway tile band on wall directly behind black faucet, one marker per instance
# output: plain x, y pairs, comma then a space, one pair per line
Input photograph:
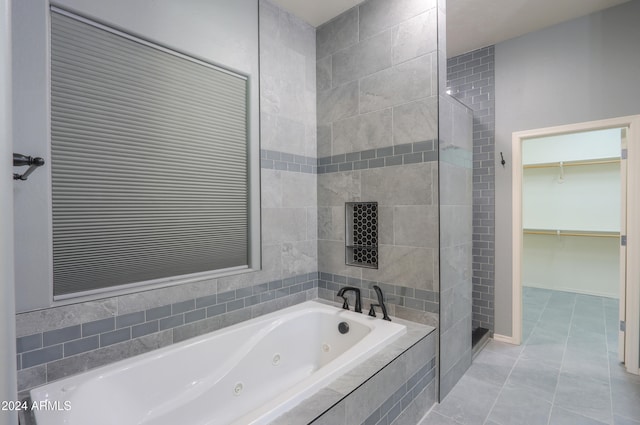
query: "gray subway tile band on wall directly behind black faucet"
416, 299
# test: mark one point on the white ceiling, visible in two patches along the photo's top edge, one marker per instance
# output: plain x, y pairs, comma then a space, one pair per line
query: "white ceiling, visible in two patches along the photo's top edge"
472, 24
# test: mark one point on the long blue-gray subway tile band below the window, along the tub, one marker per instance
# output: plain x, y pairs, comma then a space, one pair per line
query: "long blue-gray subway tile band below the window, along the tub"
41, 348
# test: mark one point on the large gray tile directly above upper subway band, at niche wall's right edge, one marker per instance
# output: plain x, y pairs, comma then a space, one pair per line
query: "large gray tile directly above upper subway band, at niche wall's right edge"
415, 121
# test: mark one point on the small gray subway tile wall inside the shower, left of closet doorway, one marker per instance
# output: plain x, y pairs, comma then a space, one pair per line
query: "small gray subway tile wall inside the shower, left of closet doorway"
471, 80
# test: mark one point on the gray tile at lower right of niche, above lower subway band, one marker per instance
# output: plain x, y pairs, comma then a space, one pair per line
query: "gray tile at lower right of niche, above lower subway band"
406, 266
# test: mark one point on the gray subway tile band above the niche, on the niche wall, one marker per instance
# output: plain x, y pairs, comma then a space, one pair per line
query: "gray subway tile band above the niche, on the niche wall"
409, 153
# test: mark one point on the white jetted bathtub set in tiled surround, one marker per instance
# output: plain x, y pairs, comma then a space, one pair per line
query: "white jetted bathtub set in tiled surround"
249, 373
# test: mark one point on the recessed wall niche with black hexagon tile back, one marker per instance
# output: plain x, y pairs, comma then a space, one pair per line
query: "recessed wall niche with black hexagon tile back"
361, 242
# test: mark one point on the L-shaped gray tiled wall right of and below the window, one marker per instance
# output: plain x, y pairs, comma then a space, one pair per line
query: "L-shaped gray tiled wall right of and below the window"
60, 341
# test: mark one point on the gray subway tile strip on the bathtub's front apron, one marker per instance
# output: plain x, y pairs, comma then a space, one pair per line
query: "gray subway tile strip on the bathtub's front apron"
398, 402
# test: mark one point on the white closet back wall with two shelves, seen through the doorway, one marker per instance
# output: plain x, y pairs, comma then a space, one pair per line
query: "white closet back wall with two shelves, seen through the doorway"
571, 212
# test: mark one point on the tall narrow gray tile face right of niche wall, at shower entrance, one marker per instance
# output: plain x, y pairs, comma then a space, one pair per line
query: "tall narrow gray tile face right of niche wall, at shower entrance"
455, 241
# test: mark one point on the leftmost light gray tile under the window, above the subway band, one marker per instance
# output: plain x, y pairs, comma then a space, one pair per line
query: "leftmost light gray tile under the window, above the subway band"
60, 317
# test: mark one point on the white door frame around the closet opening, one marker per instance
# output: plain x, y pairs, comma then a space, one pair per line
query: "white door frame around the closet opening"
632, 298
